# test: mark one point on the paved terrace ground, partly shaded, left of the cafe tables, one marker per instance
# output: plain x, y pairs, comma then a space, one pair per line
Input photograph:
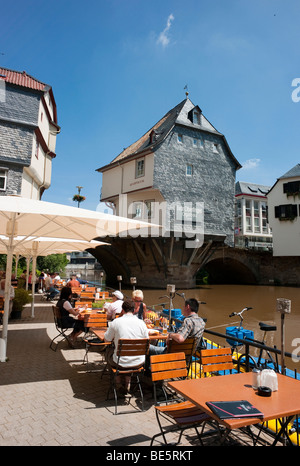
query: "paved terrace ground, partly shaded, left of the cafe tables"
50, 399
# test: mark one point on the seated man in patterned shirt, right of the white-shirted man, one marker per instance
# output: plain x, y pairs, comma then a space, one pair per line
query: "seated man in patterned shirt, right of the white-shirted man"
192, 326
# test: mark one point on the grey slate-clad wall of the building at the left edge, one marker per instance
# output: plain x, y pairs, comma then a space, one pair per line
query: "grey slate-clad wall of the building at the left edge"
18, 119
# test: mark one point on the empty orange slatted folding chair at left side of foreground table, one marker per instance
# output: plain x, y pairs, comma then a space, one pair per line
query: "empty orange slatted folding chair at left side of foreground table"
183, 415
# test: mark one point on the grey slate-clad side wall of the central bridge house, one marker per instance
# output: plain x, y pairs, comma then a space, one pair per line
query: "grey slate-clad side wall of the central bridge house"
212, 182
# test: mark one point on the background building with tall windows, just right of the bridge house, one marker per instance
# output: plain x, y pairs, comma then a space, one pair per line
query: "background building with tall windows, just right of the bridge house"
252, 229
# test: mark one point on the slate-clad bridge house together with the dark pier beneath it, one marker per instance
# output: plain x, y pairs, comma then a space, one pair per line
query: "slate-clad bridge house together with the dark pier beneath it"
180, 174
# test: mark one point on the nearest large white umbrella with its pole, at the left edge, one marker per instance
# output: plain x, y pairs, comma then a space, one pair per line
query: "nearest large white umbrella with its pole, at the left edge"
28, 217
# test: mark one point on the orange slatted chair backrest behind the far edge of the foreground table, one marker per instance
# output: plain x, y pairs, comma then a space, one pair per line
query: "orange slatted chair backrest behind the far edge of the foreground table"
216, 361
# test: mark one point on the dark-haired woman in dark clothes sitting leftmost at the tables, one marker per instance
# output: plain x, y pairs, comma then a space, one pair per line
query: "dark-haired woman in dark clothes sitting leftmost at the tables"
65, 307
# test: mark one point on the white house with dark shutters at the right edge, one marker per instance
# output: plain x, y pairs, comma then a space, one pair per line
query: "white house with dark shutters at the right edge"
284, 213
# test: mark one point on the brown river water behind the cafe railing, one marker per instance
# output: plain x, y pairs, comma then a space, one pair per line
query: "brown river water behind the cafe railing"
222, 300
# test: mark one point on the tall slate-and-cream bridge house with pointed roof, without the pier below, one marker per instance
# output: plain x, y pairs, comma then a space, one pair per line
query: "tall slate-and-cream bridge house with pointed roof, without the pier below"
181, 162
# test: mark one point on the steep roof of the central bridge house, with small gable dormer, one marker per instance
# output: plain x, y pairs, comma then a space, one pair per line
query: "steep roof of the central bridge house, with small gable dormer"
177, 115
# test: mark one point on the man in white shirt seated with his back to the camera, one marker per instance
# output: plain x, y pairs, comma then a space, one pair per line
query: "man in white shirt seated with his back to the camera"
127, 326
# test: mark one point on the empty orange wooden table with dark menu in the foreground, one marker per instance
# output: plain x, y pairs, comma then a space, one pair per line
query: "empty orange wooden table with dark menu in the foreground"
283, 404
